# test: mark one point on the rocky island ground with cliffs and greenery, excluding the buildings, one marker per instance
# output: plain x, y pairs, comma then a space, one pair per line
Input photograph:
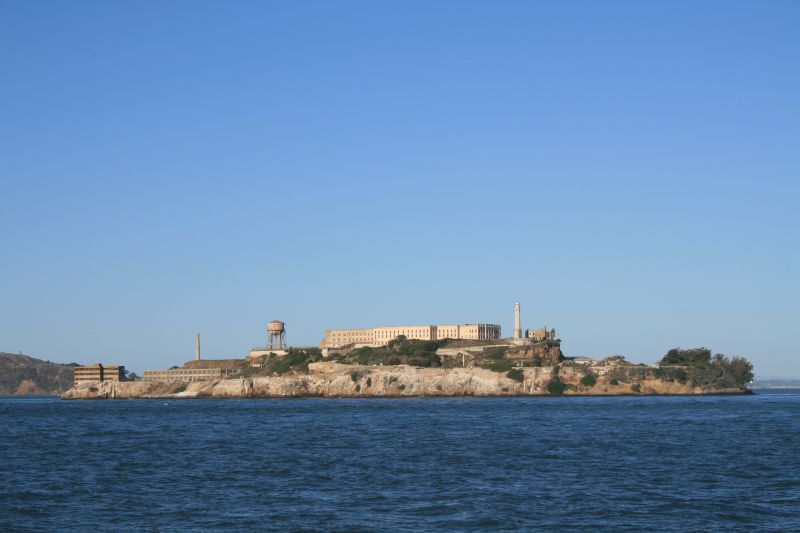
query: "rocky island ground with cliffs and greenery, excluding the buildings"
445, 368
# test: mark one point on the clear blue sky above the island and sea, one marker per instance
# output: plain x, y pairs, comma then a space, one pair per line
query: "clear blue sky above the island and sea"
628, 171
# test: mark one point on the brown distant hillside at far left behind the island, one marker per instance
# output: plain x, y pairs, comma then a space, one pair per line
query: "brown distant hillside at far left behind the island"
21, 375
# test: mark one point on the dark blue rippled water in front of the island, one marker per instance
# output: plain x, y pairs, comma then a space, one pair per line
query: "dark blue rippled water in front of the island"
465, 464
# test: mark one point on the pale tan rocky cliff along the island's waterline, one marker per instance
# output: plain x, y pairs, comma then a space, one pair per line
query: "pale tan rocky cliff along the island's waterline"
331, 380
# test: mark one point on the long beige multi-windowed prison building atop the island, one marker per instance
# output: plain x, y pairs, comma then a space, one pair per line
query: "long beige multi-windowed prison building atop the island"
337, 338
